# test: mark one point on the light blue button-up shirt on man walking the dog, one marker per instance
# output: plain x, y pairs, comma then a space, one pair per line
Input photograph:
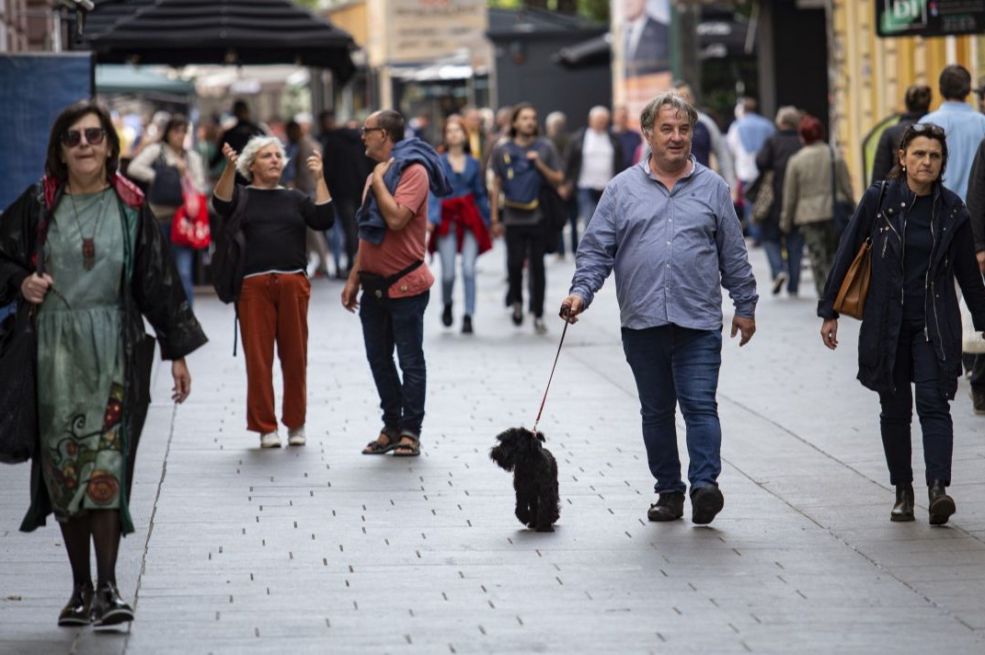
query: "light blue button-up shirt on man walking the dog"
672, 251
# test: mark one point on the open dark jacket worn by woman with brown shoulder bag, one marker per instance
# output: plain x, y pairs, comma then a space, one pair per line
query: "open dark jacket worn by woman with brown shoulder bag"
952, 257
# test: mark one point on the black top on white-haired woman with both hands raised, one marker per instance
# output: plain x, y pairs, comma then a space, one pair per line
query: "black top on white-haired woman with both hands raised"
275, 223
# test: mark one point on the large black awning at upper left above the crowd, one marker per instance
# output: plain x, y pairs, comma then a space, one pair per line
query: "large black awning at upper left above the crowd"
180, 32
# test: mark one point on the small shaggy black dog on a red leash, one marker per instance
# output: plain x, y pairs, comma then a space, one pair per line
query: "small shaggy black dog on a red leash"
534, 477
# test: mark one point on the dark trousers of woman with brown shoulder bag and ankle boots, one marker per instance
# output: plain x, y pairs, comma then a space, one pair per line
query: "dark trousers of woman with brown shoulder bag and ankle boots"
916, 364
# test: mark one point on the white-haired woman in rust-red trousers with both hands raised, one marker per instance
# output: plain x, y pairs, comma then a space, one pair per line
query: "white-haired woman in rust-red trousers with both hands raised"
273, 301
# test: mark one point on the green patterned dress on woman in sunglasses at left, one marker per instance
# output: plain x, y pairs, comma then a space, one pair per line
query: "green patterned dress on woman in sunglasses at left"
80, 357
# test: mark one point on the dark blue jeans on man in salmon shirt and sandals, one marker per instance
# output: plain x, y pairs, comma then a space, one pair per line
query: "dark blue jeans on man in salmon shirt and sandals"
389, 324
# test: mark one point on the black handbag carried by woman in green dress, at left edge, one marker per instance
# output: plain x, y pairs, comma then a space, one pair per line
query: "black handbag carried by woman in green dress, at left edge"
18, 385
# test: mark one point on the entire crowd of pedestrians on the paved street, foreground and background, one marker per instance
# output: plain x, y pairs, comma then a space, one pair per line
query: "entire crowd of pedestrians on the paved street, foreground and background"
666, 208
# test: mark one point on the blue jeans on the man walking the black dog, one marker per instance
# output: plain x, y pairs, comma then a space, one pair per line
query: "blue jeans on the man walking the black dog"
675, 365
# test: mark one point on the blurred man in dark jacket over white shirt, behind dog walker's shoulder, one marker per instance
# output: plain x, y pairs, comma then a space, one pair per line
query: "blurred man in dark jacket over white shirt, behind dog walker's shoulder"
594, 157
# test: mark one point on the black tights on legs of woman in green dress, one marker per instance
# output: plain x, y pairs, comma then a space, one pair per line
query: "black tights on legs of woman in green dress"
103, 528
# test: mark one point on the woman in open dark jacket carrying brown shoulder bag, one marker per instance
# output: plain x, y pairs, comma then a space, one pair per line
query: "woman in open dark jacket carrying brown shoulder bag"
911, 328
